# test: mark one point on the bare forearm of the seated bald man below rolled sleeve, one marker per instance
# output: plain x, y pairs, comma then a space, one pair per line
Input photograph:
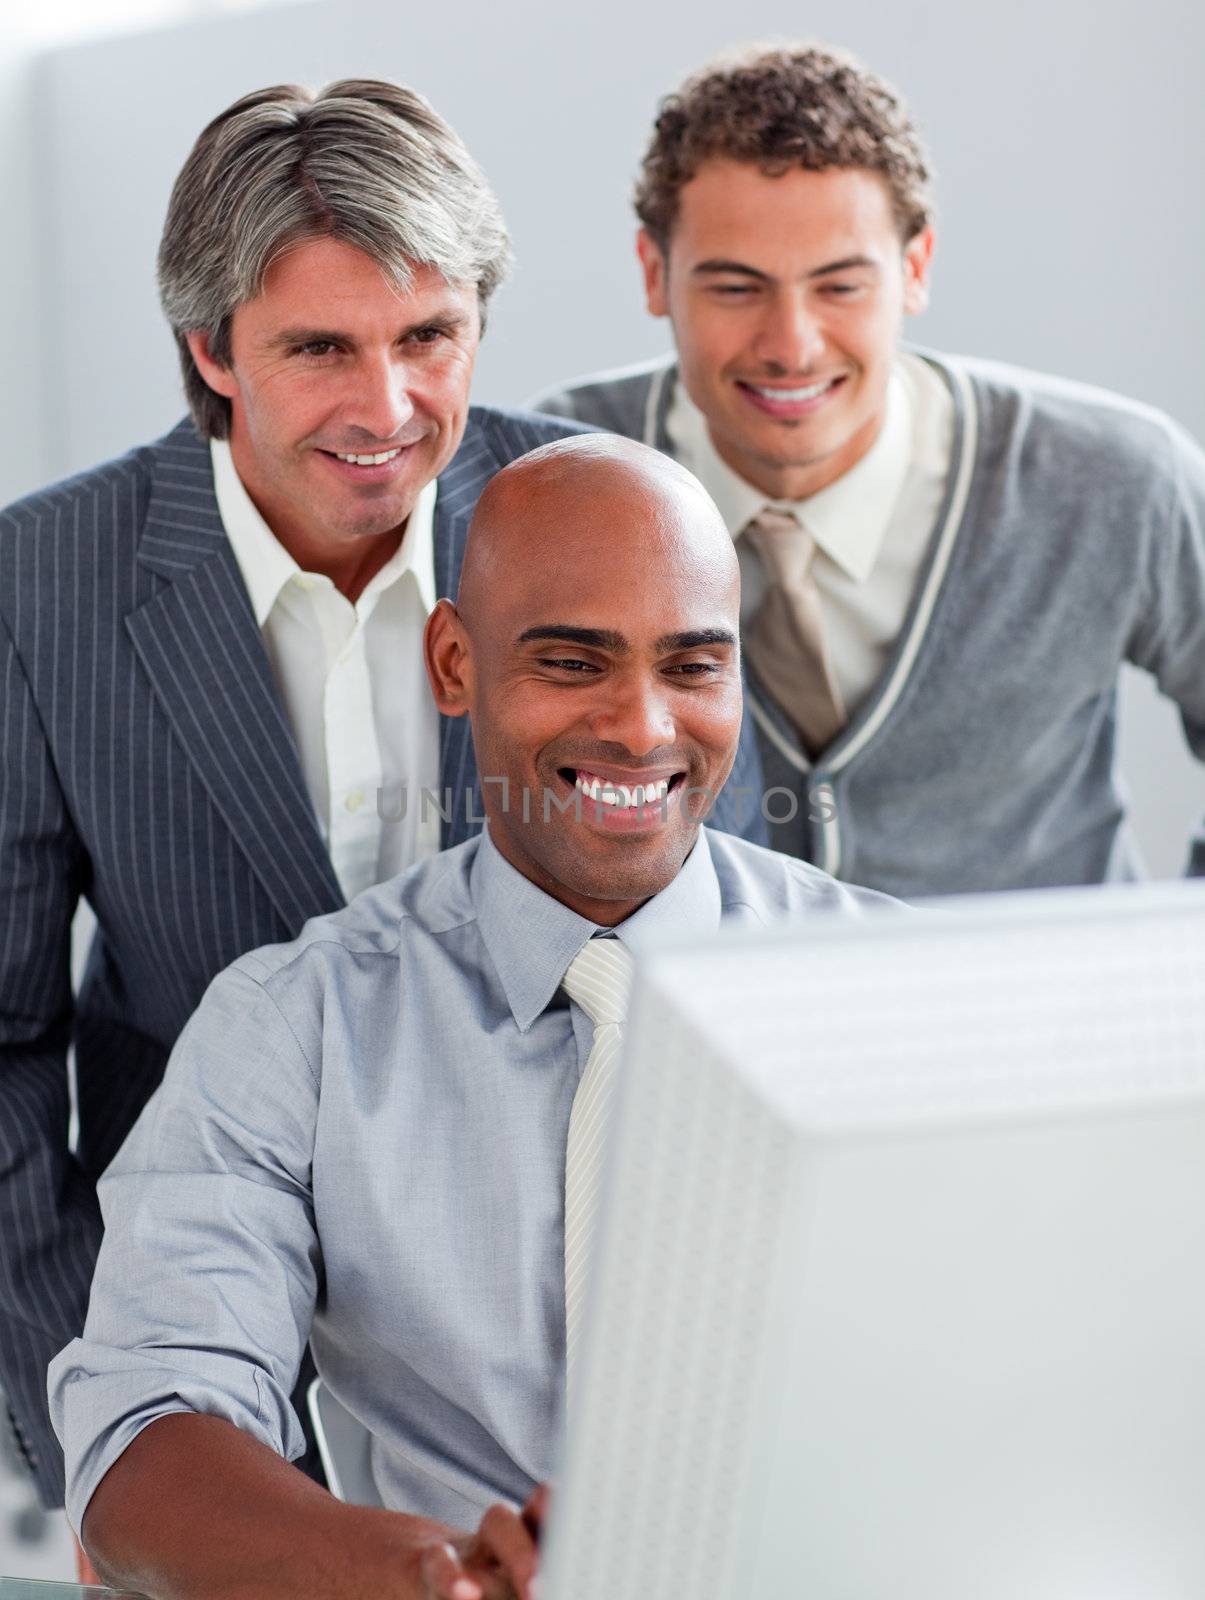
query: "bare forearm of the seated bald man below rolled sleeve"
196, 1508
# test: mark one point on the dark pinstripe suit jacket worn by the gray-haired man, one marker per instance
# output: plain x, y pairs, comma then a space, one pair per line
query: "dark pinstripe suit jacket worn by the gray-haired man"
148, 767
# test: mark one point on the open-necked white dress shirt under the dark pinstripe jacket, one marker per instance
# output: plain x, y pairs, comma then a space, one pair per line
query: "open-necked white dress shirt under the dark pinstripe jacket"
353, 684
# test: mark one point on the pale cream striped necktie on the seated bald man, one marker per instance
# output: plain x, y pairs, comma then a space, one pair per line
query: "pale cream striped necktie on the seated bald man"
599, 982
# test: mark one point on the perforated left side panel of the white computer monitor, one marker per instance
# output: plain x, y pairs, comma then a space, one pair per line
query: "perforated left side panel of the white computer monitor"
689, 1129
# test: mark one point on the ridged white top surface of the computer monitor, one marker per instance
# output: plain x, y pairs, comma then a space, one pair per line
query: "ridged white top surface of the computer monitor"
975, 1026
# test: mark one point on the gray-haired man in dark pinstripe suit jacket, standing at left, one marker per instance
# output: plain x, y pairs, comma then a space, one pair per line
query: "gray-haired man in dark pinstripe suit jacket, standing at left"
215, 716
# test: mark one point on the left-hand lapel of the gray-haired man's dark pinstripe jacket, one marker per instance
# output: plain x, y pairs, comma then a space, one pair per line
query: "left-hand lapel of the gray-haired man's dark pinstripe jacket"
202, 652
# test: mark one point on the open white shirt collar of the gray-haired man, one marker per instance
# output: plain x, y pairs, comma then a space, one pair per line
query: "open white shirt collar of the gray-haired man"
266, 566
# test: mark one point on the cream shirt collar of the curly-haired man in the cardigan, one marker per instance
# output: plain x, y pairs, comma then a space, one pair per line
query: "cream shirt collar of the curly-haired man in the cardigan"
849, 519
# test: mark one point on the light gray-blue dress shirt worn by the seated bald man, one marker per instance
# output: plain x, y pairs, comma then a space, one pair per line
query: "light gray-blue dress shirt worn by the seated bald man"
361, 1138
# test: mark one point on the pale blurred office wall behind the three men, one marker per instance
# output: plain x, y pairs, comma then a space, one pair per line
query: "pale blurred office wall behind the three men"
1068, 138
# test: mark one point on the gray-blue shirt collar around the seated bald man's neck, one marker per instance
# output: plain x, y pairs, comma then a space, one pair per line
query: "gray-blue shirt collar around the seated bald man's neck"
532, 938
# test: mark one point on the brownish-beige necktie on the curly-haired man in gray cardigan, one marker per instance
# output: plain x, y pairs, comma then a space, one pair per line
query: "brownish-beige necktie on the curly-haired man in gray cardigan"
787, 636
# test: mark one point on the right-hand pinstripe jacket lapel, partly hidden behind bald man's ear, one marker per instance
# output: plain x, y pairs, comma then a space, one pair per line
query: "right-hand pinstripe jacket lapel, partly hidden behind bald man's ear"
460, 489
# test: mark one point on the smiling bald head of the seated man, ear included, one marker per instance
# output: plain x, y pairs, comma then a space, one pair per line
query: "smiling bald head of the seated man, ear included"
594, 646
